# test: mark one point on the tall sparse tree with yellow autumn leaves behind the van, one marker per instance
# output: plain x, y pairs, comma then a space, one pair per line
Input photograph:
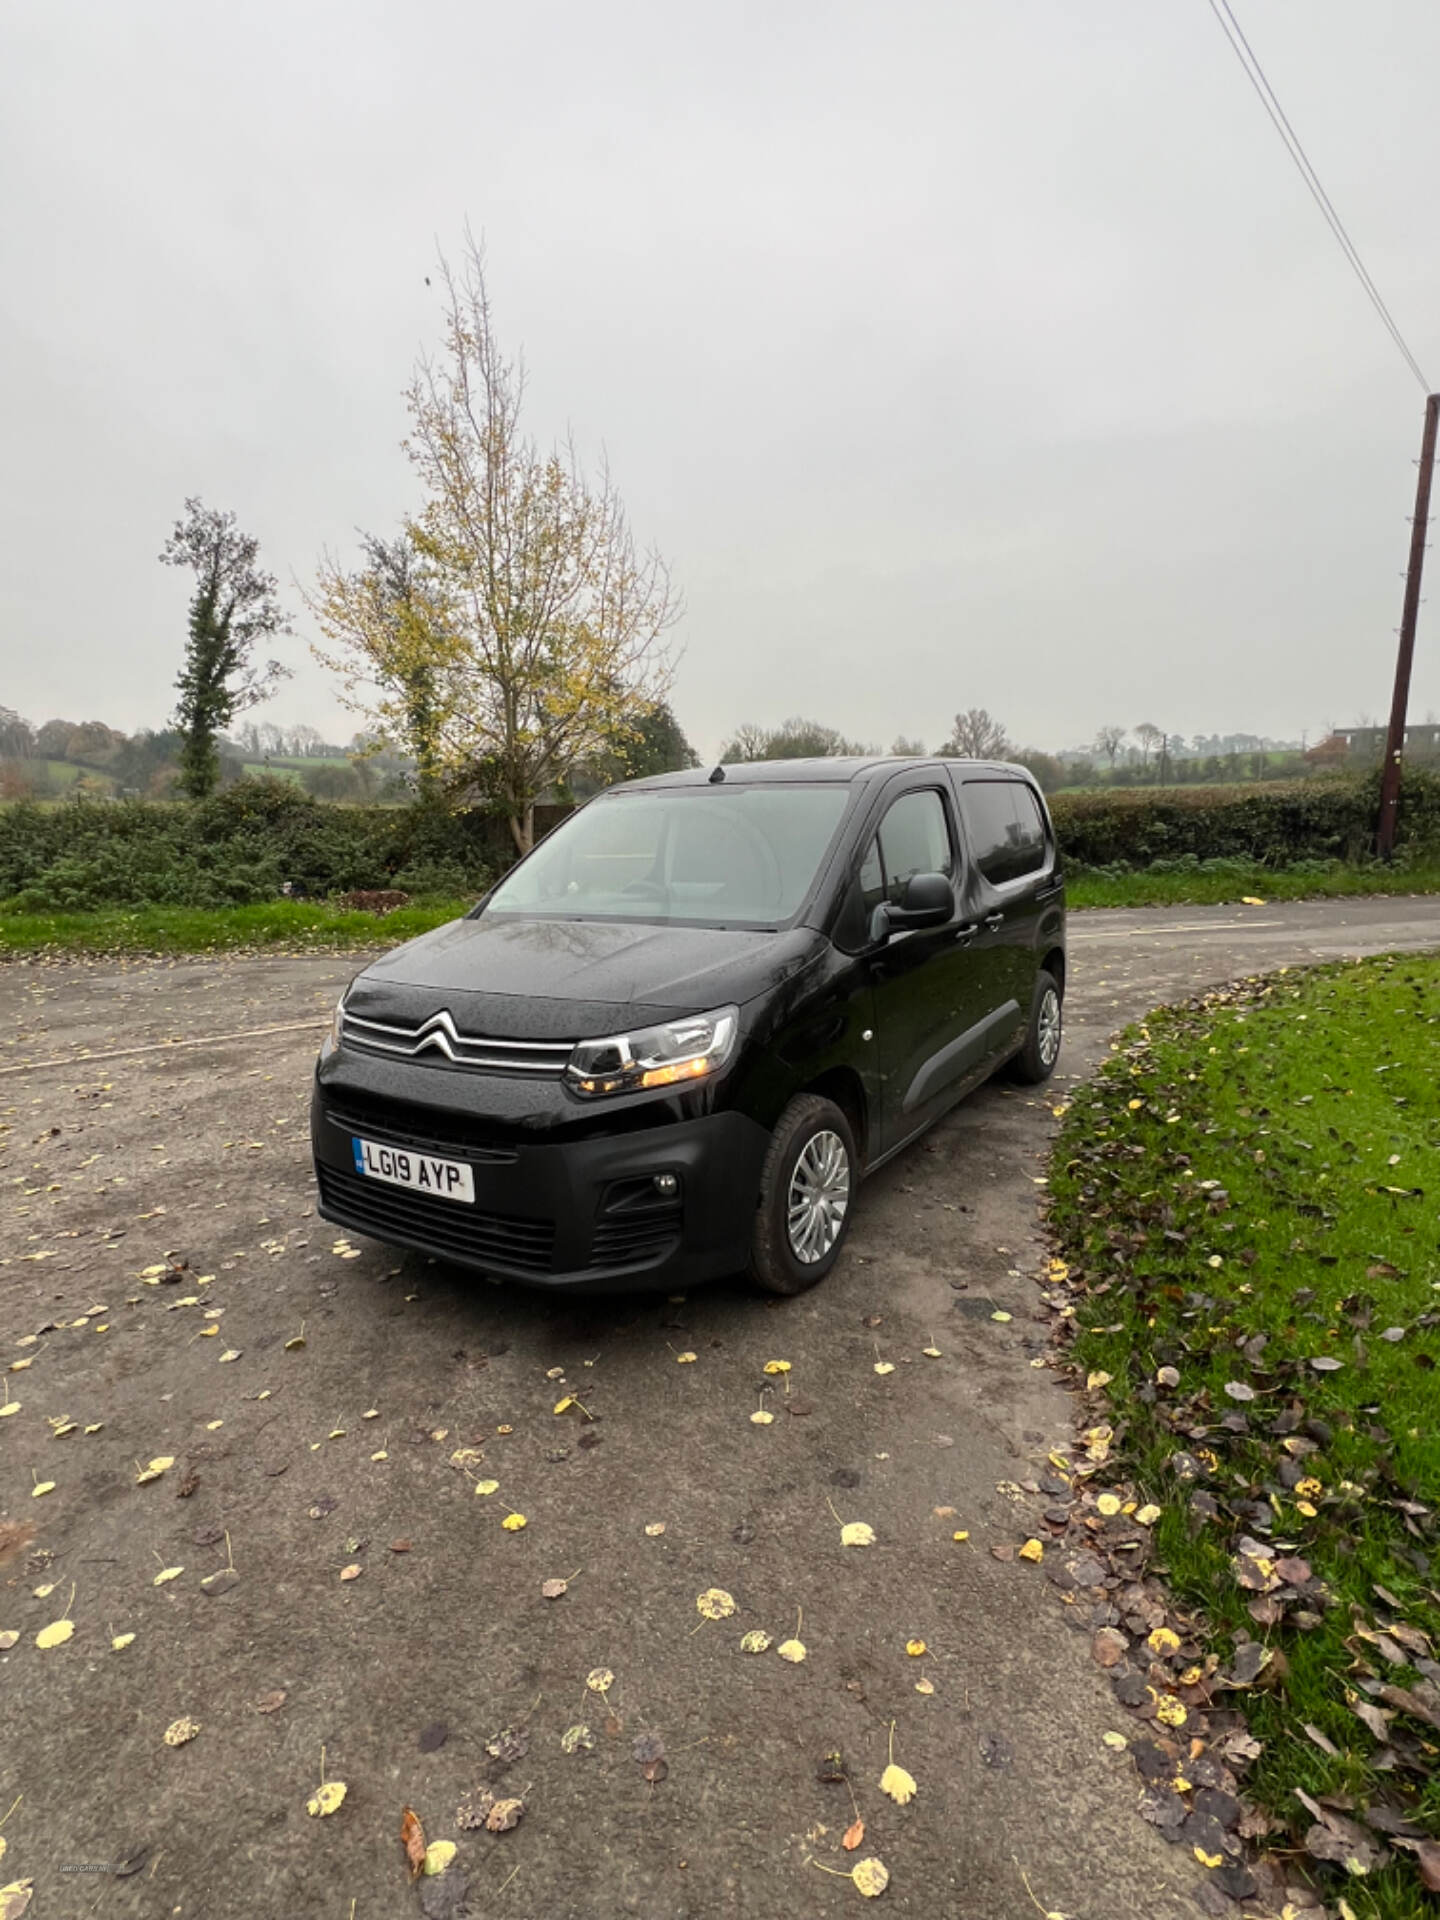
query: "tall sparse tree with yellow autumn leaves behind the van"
516, 631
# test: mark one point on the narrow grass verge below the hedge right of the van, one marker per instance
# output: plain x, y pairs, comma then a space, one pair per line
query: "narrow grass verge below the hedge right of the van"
1224, 882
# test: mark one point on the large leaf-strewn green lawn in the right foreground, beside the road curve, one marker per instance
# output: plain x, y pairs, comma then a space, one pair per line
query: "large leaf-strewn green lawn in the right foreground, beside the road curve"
1251, 1186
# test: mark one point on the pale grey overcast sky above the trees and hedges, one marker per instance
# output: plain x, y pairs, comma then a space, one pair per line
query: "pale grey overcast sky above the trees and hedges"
971, 352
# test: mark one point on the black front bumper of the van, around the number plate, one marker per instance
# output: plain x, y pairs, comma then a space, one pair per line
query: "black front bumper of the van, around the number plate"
575, 1214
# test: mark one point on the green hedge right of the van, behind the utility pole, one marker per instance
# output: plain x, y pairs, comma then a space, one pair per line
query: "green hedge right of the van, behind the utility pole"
1274, 823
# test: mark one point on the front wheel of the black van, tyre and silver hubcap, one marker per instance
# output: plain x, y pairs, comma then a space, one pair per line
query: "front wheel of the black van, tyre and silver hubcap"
807, 1191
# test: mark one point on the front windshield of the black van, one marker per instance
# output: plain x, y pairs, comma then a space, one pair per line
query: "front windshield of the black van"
706, 855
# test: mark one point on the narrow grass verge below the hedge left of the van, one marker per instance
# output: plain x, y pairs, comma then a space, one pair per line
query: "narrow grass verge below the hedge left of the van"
189, 930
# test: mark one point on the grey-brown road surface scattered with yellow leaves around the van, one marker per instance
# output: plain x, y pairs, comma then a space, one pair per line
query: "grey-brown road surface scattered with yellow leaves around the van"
156, 1113
